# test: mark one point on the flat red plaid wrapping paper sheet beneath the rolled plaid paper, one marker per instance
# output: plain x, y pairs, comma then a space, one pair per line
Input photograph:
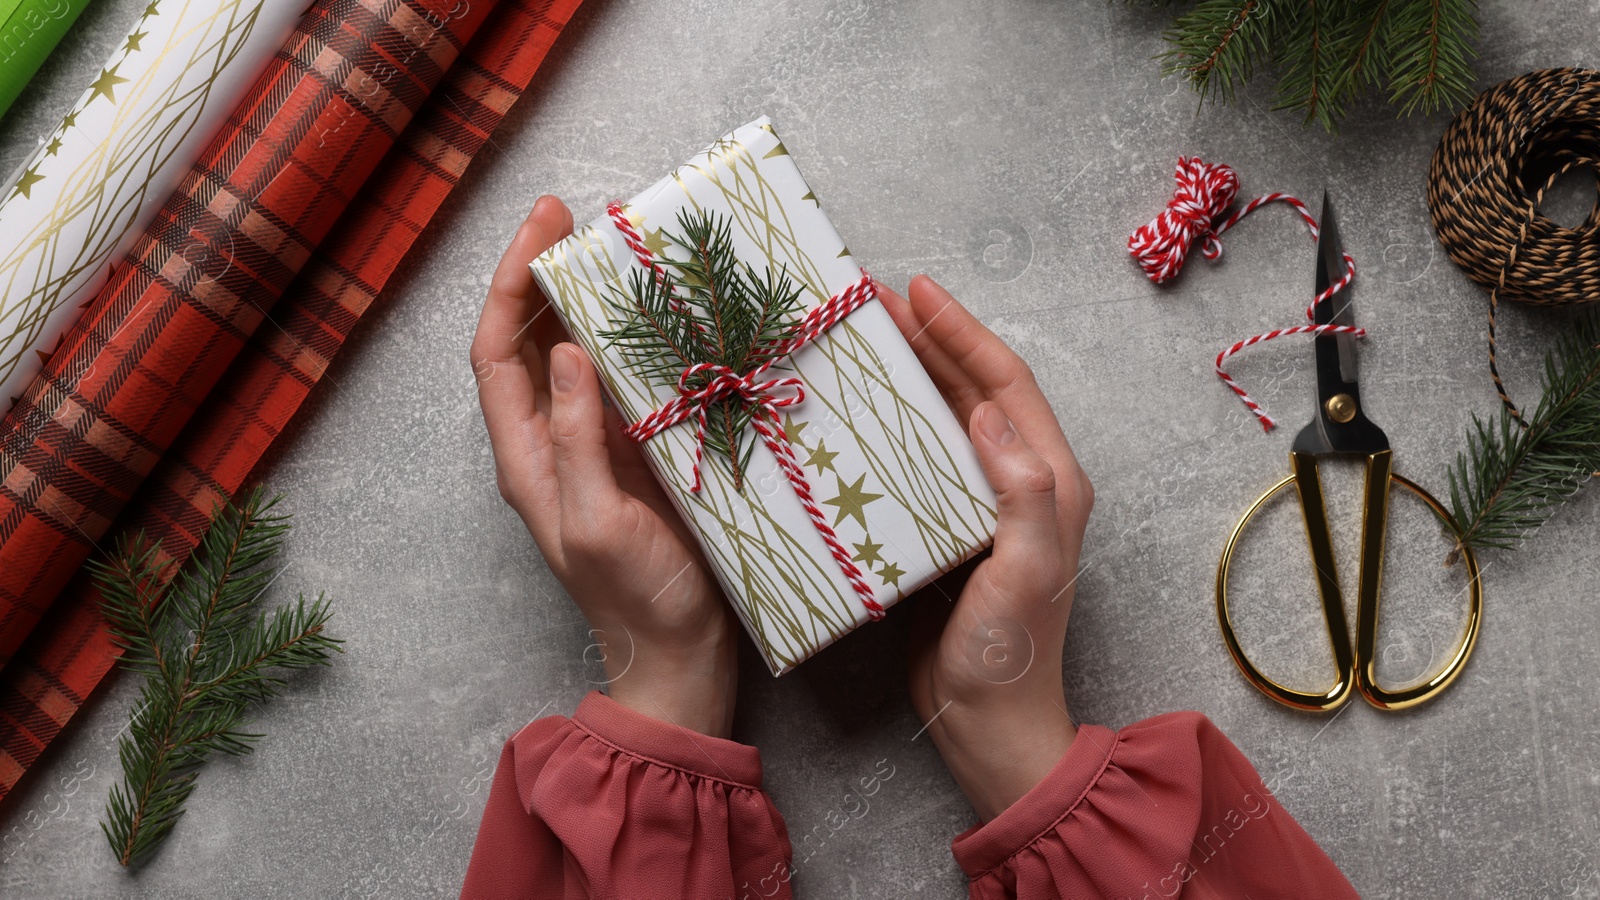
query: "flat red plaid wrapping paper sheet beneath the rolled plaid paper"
70, 651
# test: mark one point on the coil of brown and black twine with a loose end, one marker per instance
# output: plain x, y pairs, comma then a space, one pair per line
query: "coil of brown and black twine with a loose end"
1489, 179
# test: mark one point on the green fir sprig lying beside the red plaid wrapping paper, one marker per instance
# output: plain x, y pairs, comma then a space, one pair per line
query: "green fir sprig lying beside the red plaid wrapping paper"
207, 657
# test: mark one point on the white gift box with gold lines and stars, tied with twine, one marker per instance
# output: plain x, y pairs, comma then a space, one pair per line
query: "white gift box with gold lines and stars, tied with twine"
850, 483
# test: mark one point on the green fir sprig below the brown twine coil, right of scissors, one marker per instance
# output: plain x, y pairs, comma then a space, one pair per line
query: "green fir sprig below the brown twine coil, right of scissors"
1513, 478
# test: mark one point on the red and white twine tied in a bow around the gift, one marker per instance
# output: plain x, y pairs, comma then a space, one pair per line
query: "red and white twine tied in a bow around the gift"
758, 392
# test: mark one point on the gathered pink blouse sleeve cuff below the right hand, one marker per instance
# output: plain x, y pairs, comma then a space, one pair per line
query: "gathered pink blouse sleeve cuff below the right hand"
1166, 808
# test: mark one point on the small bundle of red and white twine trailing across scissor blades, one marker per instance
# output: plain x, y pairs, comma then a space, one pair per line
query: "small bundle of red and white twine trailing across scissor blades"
1198, 209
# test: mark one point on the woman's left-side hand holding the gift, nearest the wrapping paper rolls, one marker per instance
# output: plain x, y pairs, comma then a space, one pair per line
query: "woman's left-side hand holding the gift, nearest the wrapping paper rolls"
593, 505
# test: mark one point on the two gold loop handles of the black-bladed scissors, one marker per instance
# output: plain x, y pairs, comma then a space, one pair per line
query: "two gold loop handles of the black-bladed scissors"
1359, 669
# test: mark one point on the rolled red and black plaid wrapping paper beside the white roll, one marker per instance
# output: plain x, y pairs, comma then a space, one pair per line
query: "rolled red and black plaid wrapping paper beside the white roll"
231, 239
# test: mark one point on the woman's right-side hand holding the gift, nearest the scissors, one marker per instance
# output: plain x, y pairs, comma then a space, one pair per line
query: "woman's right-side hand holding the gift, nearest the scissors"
986, 669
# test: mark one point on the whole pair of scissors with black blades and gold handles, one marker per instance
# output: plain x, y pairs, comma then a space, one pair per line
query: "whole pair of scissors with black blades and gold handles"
1343, 430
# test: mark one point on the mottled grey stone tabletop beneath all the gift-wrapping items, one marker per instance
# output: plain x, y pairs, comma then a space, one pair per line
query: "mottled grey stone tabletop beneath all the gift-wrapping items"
1007, 148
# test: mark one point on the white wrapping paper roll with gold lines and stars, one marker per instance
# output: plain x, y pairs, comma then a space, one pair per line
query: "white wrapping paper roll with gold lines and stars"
76, 207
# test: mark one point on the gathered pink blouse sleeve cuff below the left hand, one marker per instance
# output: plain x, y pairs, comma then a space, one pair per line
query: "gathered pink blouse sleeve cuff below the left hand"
618, 805
